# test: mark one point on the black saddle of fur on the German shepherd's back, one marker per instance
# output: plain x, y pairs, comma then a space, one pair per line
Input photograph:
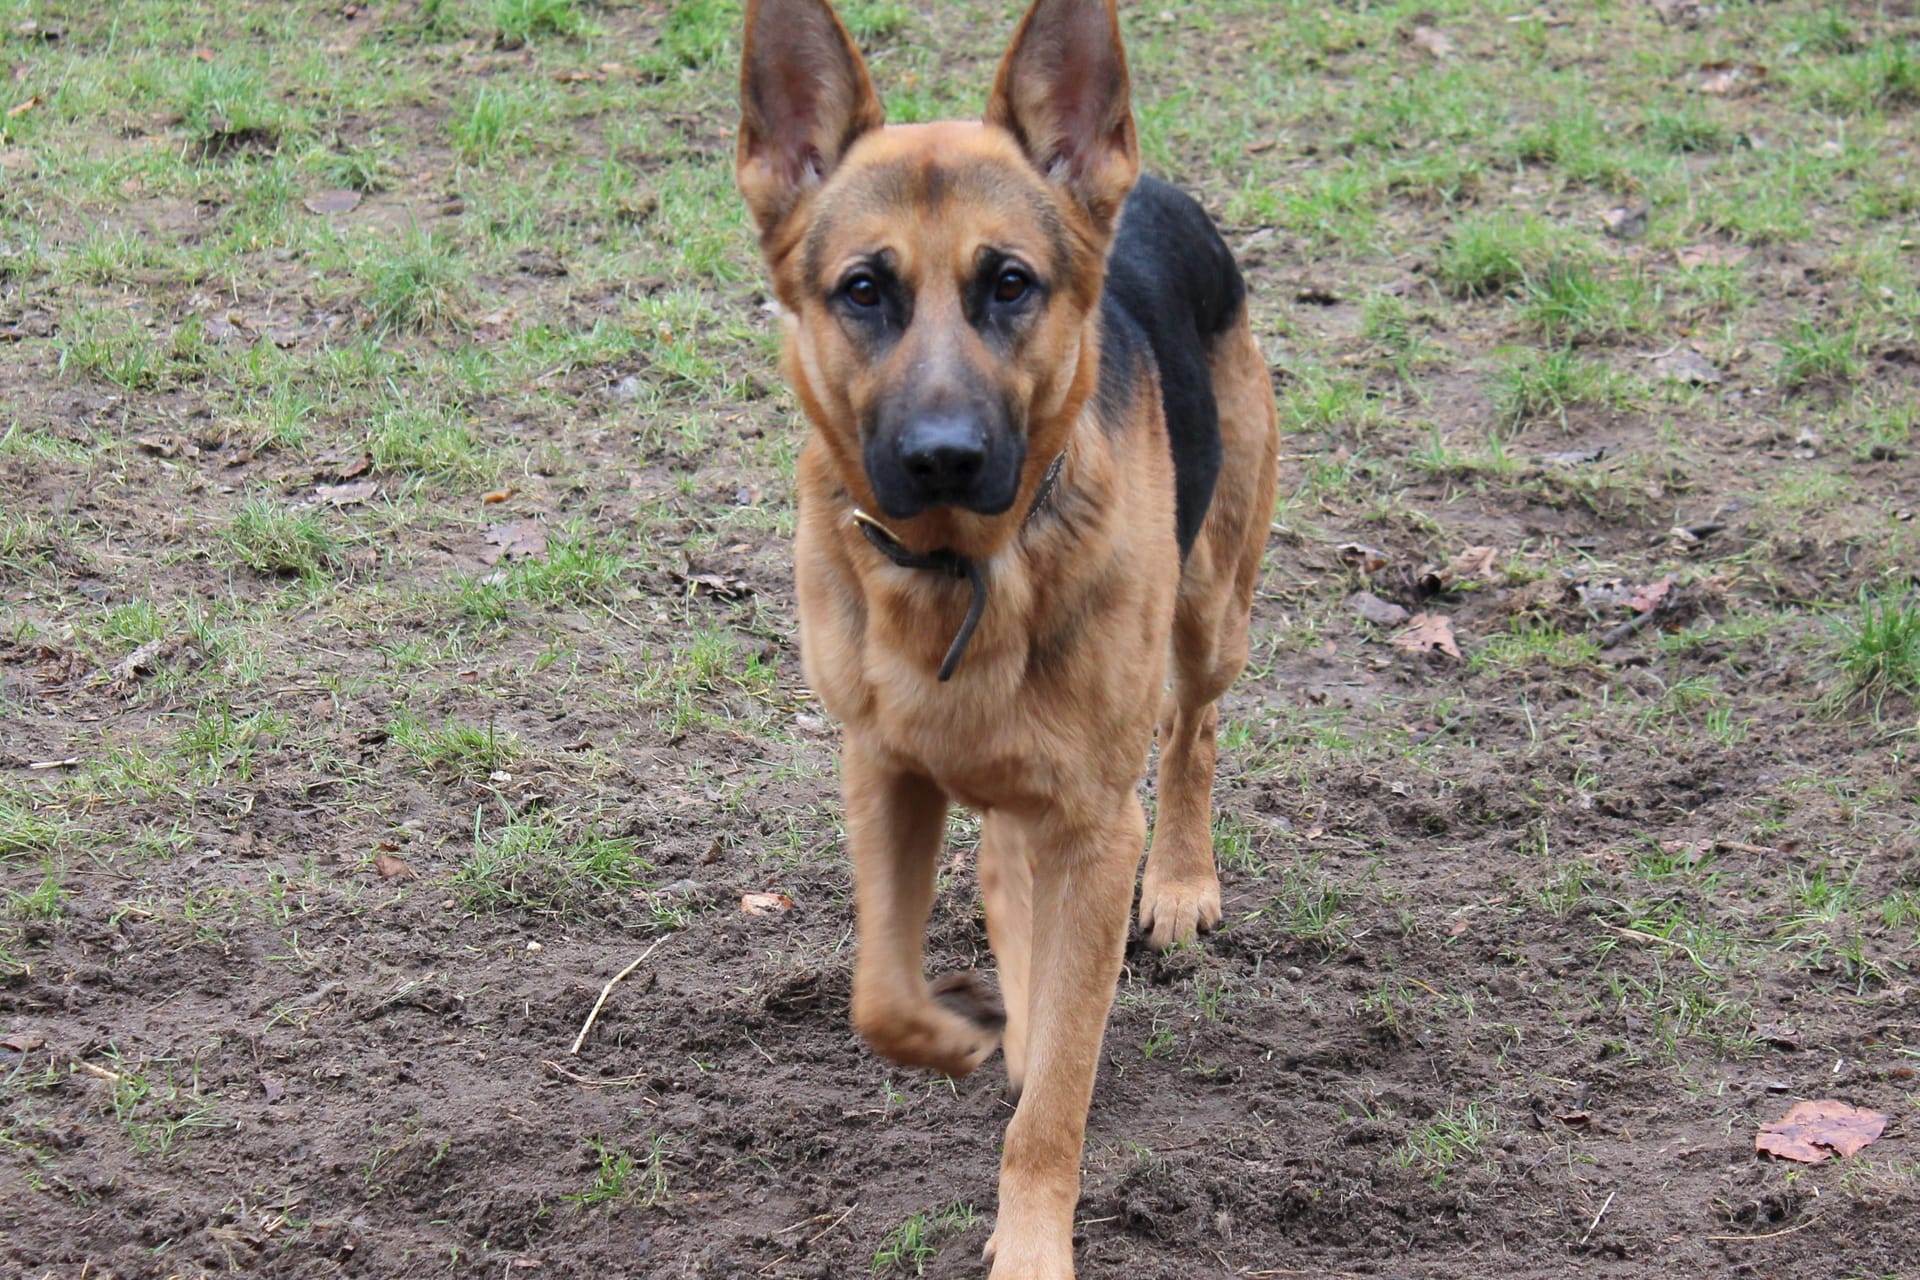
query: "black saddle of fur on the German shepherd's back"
1172, 289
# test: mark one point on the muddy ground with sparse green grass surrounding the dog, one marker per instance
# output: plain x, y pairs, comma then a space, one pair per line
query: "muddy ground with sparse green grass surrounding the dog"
398, 642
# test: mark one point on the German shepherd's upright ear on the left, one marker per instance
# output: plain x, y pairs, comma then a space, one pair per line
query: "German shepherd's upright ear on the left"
804, 101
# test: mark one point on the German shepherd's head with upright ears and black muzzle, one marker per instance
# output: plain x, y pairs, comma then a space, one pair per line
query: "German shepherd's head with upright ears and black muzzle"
938, 279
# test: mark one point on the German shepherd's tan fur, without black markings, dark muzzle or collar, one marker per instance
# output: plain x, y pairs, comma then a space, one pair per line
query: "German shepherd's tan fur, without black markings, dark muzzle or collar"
1047, 724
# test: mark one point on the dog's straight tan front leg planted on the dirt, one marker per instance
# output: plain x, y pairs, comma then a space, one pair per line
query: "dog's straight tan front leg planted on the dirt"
1082, 899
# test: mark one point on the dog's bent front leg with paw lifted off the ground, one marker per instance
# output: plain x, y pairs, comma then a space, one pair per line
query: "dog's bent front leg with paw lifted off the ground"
896, 822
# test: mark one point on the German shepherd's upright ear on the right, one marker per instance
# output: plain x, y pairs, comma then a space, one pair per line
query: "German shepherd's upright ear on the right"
1063, 93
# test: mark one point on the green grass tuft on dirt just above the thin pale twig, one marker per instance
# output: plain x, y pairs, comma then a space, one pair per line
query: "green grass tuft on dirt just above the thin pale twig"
544, 865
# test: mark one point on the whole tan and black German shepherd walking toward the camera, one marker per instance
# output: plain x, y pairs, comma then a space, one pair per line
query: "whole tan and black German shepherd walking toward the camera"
1042, 465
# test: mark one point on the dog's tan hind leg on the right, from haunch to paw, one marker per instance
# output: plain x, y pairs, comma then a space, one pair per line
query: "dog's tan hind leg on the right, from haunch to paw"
1180, 893
